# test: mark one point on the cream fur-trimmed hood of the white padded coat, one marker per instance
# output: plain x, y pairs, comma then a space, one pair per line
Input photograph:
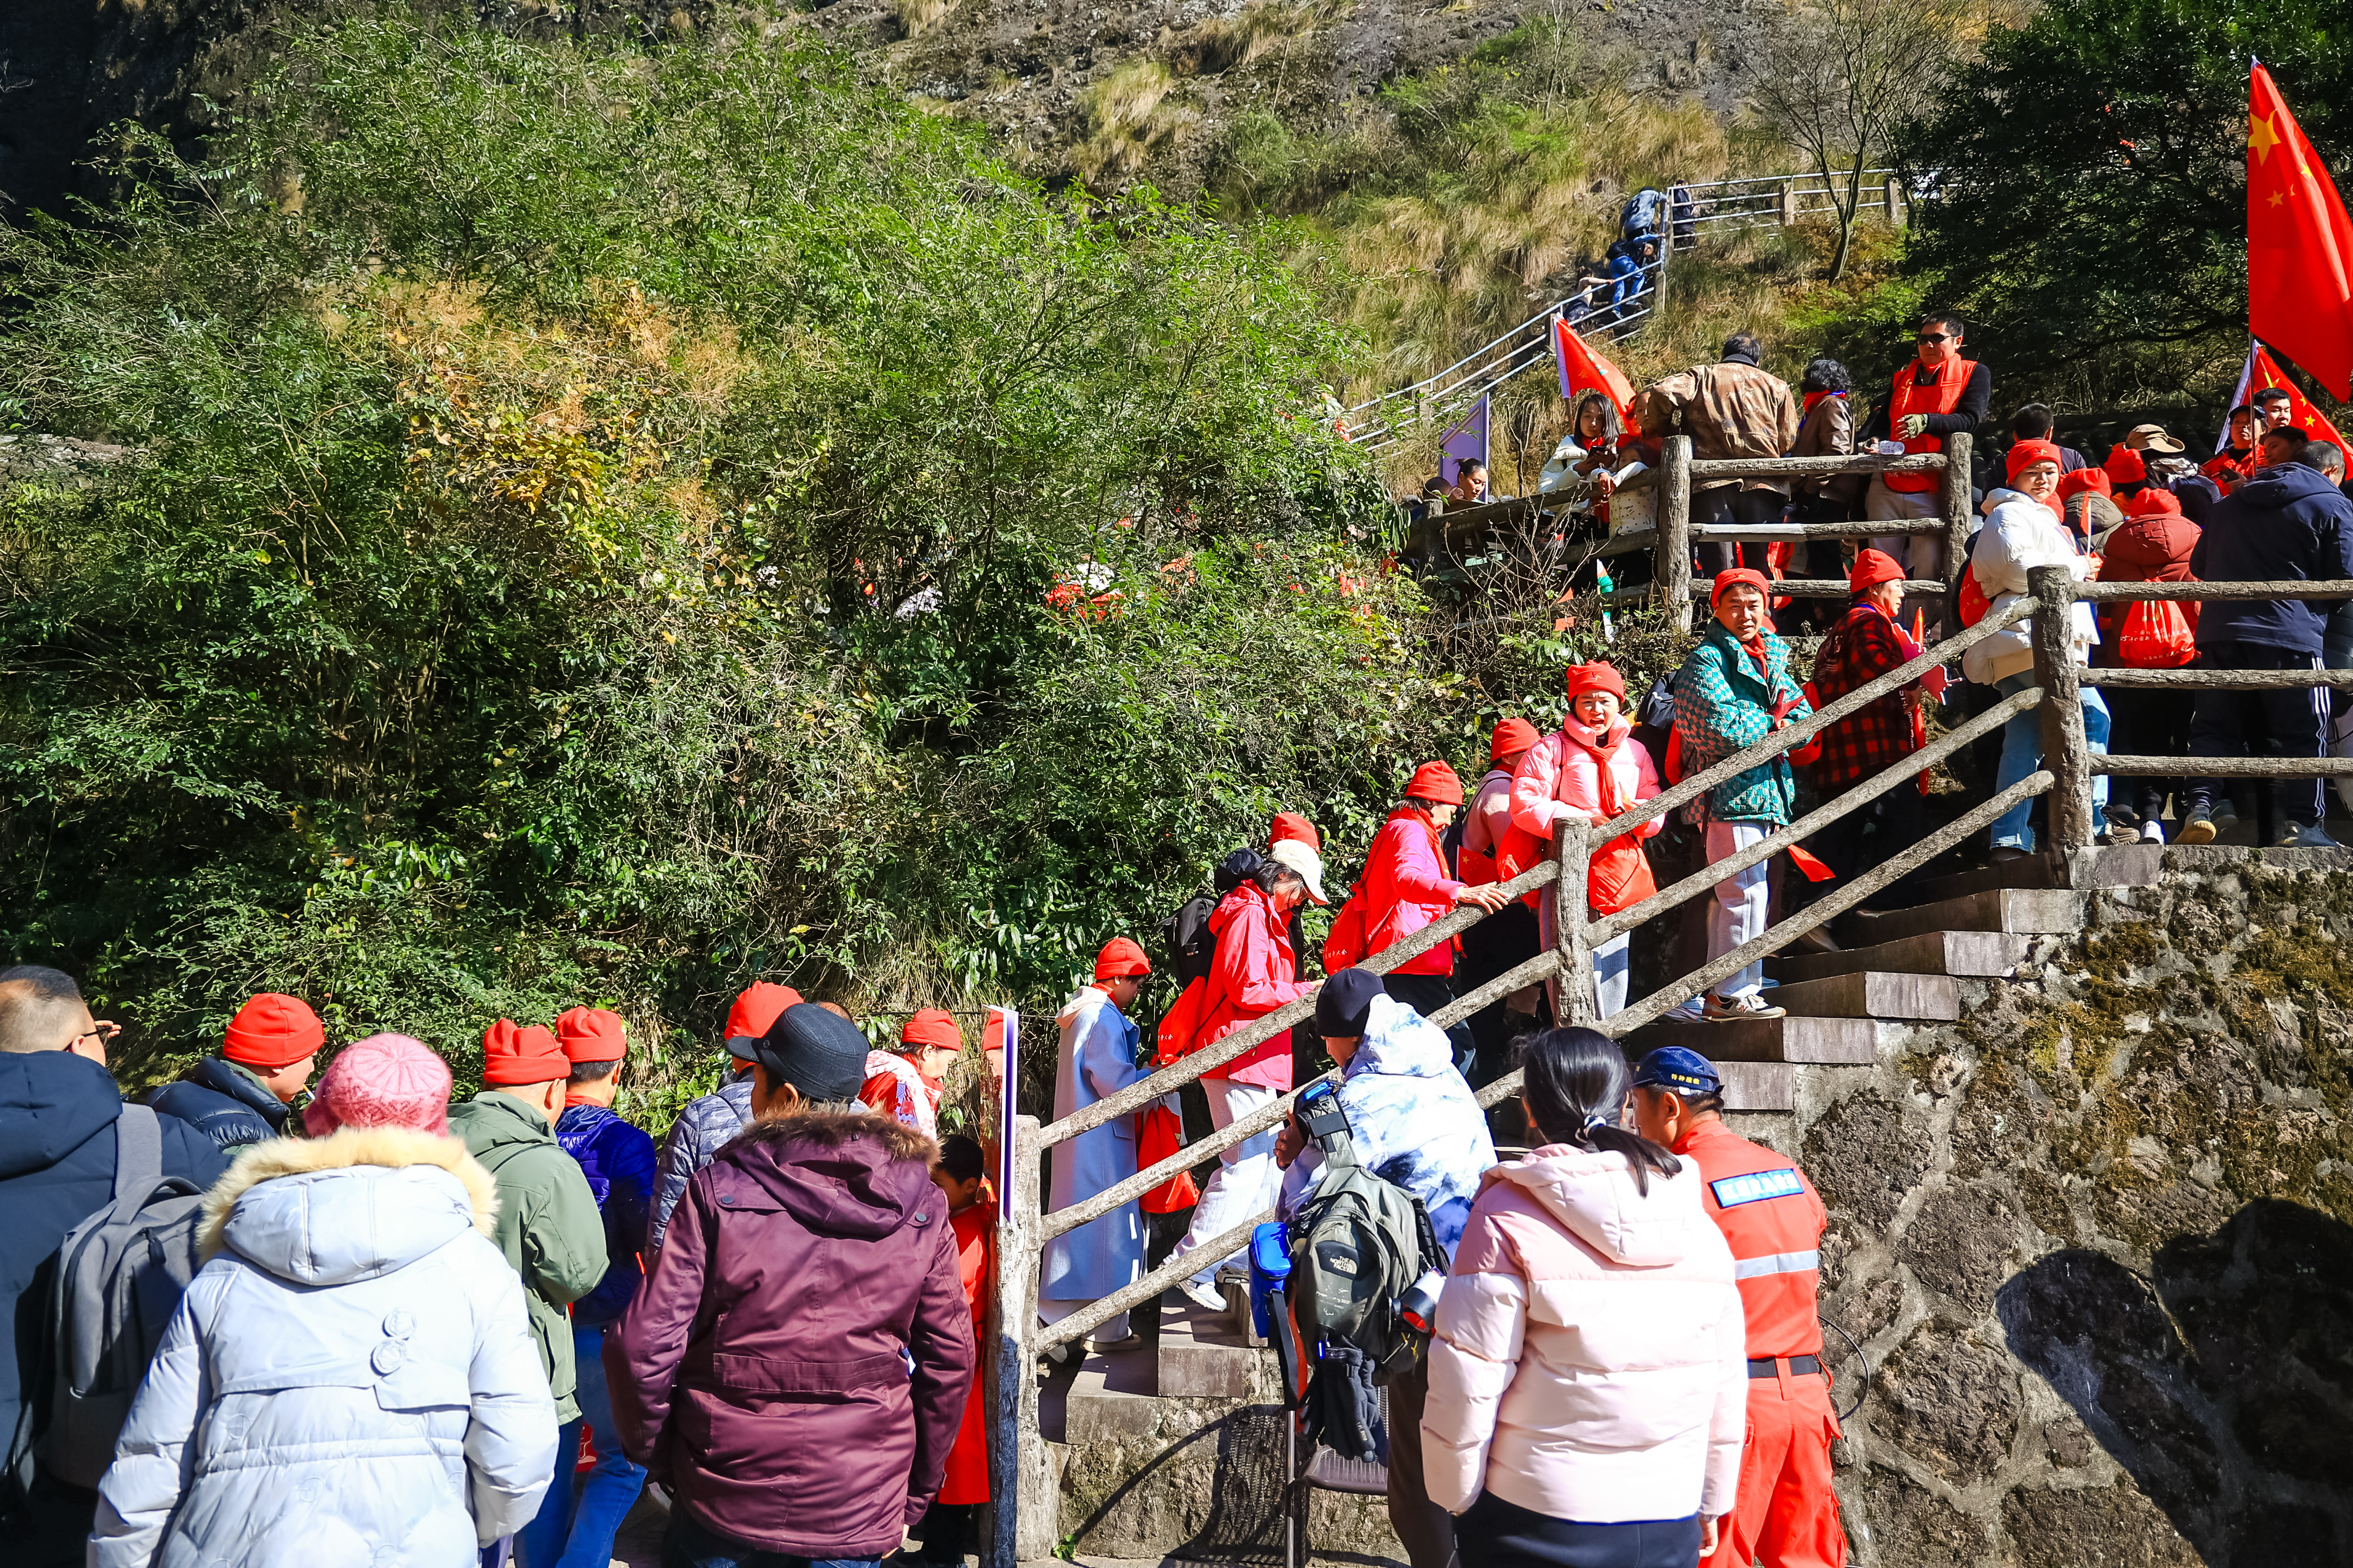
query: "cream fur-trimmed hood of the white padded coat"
356, 1204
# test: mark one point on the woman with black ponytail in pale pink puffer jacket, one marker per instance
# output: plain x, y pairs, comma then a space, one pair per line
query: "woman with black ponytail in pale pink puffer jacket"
1589, 1381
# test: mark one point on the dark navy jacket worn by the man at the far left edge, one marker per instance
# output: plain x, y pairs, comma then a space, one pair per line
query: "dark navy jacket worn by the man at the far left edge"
58, 1167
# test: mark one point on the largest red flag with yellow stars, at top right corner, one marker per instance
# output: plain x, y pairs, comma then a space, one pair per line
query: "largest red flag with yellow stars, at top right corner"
2300, 246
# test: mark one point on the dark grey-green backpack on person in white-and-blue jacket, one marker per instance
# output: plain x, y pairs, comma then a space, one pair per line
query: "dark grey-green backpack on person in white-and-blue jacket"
1359, 1244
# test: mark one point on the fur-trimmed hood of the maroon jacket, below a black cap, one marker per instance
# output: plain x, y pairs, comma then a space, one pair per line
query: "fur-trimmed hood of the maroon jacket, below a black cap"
841, 1174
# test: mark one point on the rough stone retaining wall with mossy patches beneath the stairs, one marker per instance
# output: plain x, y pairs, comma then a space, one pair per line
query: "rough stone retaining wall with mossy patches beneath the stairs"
2098, 1244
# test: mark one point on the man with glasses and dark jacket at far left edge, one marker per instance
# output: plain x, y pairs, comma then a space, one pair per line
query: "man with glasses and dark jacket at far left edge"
58, 1167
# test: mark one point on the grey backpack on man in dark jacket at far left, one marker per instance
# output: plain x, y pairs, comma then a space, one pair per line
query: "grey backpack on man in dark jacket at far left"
119, 1277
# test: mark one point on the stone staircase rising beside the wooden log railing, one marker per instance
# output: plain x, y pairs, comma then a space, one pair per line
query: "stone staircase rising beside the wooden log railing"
1917, 959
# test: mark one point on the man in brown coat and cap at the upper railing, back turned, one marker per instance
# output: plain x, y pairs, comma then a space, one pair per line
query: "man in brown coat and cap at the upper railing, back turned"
1731, 408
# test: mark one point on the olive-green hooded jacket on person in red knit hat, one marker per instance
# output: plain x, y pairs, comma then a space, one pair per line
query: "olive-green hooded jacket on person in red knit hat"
549, 1225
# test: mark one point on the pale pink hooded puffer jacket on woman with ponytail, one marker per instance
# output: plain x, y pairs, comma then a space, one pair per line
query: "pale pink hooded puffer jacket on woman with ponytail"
1589, 1357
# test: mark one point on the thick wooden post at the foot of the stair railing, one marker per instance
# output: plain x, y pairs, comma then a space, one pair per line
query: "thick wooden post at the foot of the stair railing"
1020, 1487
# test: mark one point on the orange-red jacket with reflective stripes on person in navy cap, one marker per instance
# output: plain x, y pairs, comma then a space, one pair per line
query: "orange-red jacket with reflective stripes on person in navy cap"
1773, 1218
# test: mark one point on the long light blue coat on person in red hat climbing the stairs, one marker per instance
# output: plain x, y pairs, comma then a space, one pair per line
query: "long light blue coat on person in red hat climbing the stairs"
1098, 1061
